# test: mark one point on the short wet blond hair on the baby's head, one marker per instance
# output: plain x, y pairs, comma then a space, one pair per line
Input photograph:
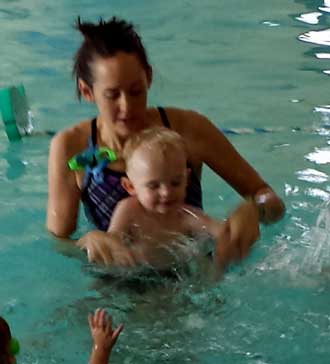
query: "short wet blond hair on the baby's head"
155, 137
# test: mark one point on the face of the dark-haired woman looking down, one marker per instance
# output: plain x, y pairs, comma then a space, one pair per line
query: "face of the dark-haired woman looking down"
120, 92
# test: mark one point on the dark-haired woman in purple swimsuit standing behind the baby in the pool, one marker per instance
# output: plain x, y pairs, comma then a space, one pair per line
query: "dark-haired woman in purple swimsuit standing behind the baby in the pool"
112, 70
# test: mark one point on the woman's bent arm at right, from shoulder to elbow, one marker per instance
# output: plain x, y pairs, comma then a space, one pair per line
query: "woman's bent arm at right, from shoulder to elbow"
207, 144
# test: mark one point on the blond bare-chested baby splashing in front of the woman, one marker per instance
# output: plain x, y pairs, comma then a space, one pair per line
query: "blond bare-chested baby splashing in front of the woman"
148, 226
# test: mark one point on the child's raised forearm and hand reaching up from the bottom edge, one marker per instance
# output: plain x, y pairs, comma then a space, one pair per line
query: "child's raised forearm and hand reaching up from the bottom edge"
104, 337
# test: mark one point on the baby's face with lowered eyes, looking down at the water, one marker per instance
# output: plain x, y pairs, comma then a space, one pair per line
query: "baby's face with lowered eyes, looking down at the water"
159, 177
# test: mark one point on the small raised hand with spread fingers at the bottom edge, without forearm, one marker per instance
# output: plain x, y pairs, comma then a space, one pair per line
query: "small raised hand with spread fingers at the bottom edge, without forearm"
100, 325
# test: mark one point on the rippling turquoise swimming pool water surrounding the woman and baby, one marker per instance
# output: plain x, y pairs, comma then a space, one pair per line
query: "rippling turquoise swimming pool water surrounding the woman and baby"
244, 64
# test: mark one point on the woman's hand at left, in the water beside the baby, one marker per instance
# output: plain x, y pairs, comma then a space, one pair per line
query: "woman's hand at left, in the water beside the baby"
107, 248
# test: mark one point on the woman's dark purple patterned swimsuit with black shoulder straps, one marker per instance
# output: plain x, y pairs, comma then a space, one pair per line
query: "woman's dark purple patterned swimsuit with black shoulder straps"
100, 198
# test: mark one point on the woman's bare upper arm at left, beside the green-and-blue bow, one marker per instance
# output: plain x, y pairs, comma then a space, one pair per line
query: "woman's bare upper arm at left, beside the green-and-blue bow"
63, 191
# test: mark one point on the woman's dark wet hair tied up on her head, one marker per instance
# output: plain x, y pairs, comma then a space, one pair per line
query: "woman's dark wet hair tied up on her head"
105, 39
